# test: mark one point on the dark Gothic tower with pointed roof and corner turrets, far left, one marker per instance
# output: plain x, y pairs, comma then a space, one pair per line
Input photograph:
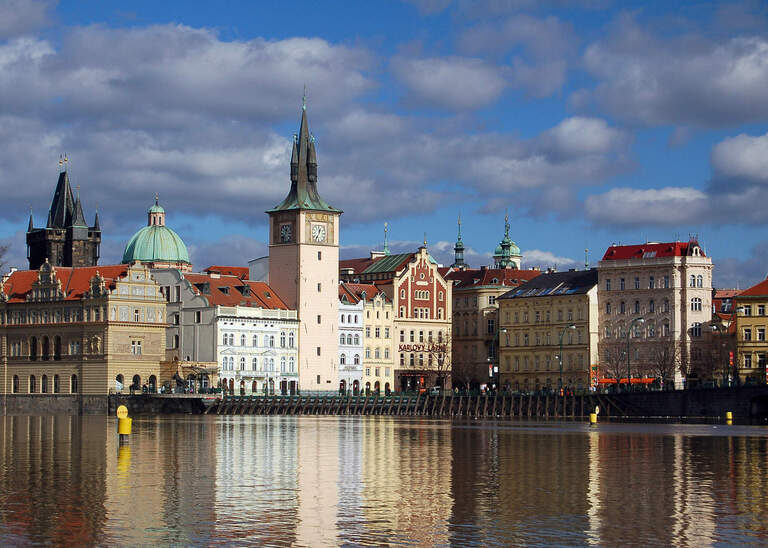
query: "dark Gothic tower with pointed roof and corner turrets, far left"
66, 240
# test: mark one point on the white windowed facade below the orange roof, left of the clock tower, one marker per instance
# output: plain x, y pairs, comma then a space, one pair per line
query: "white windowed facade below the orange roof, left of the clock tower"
257, 349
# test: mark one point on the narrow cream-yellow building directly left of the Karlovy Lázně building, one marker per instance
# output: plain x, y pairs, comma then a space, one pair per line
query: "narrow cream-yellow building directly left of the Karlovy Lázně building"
378, 344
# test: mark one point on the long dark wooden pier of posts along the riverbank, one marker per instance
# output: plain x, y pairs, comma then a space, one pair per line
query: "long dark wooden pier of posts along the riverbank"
501, 405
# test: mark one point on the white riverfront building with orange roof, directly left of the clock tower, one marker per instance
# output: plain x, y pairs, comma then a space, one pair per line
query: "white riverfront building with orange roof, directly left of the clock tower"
229, 331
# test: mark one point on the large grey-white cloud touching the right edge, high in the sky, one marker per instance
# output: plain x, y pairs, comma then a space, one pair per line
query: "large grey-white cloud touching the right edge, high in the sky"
688, 80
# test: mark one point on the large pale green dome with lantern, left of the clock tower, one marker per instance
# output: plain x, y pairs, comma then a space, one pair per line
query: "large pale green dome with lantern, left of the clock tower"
157, 245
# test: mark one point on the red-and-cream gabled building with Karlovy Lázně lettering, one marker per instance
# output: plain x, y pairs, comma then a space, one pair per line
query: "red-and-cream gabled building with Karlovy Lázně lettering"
421, 300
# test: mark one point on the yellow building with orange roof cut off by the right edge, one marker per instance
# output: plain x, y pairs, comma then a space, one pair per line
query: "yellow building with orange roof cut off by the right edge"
751, 327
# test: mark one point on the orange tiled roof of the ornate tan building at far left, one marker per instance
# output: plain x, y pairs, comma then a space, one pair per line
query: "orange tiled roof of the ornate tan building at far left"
74, 281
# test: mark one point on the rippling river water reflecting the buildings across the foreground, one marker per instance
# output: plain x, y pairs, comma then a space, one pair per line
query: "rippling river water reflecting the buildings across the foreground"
326, 481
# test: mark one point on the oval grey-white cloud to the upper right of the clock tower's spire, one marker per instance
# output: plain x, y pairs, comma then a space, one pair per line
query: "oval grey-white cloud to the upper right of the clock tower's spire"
456, 83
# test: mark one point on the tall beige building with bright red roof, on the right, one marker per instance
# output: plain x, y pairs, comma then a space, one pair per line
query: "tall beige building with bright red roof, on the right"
666, 290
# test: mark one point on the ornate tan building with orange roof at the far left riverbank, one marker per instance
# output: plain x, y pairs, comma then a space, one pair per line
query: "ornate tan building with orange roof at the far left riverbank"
90, 330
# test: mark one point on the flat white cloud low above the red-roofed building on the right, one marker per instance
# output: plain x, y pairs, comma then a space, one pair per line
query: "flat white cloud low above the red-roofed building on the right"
634, 207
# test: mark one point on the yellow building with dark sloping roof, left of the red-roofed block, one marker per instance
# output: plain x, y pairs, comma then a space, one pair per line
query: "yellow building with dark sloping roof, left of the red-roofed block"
535, 318
